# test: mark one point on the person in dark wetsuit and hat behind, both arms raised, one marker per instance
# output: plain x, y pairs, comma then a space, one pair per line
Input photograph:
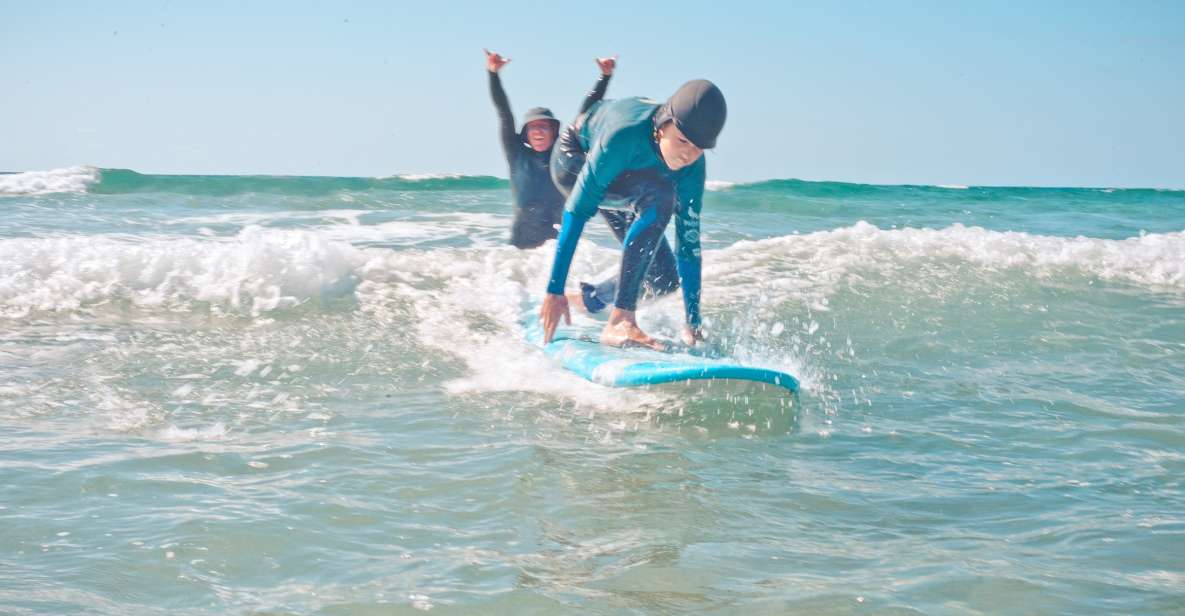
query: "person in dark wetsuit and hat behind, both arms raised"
539, 204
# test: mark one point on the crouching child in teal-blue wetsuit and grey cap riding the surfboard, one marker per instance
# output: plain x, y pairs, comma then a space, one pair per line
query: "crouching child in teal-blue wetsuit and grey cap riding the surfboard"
649, 159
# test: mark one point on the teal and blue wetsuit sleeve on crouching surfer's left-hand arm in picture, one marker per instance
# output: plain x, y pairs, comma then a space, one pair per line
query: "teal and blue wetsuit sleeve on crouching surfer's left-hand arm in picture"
603, 165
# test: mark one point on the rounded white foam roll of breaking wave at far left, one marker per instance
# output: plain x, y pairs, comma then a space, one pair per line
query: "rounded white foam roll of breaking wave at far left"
257, 272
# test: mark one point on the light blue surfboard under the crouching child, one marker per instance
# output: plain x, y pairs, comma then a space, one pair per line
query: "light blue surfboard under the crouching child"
638, 367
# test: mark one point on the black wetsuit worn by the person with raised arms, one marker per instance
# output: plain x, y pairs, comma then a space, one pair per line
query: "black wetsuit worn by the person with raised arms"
539, 204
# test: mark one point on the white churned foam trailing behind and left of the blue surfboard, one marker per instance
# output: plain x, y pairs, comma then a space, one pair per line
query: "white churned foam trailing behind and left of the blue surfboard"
470, 304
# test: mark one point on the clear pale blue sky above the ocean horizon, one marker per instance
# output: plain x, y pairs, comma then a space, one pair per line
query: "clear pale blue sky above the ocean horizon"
1060, 94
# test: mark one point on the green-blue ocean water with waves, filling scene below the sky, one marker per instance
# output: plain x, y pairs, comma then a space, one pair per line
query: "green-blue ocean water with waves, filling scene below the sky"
258, 395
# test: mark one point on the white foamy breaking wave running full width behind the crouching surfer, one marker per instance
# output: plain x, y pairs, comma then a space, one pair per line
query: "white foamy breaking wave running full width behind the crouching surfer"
260, 271
